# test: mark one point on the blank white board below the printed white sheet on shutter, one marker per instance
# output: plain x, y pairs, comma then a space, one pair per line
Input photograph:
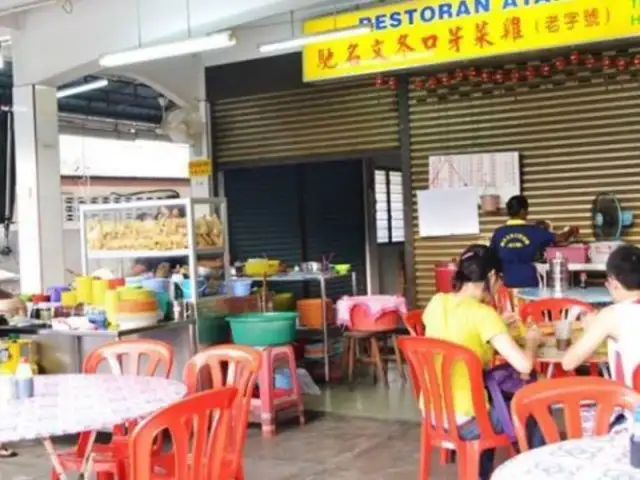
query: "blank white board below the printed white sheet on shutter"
446, 212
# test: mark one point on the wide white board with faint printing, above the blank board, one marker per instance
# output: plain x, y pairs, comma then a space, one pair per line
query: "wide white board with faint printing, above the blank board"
491, 173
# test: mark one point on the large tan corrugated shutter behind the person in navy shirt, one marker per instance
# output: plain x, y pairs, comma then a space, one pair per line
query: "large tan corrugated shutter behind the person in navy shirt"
575, 140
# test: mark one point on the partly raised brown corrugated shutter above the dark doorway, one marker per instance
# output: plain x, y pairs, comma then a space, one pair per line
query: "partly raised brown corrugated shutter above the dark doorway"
317, 120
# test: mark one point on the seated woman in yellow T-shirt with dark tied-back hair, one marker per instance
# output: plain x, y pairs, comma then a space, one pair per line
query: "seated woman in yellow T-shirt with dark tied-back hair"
463, 318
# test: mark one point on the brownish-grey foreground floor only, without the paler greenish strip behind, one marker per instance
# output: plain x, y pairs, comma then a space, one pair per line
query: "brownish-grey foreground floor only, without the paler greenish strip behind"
328, 448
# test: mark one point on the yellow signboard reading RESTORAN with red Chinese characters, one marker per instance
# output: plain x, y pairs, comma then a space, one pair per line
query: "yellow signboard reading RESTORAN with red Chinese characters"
427, 32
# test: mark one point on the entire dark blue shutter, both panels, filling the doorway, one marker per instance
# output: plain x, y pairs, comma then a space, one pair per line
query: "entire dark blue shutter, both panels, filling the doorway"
297, 213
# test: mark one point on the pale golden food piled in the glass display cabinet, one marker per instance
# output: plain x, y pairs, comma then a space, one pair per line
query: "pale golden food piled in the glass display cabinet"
165, 232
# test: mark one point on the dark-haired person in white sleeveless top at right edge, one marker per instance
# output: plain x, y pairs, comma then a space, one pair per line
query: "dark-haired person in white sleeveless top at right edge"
618, 323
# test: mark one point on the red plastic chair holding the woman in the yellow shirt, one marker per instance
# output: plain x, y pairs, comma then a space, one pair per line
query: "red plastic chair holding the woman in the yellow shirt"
430, 365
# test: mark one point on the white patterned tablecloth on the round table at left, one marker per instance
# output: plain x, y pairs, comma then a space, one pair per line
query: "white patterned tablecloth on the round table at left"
68, 404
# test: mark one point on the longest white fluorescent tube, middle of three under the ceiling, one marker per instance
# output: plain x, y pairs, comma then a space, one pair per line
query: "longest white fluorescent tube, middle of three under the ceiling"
166, 50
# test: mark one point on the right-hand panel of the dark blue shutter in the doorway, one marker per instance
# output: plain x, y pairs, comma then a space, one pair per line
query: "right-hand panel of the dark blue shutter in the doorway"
333, 199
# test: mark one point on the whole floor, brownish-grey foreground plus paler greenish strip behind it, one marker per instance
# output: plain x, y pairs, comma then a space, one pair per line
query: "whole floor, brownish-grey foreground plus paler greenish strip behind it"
367, 432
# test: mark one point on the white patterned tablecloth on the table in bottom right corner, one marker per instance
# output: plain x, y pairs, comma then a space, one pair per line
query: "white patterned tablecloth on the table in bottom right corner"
594, 458
